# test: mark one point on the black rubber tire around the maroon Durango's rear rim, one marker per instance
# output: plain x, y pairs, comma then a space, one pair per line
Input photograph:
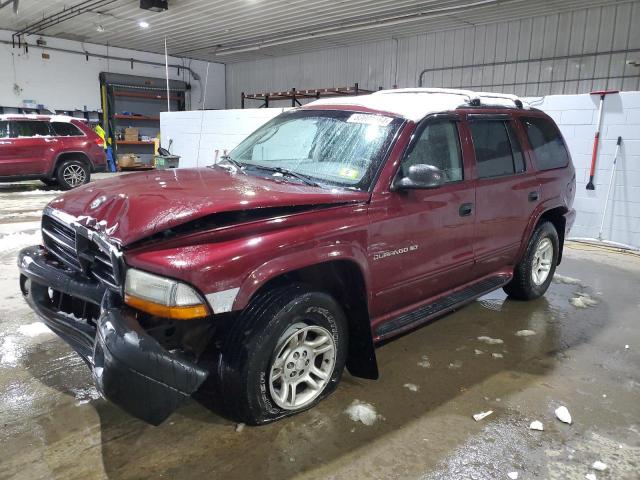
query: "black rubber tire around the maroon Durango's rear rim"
523, 286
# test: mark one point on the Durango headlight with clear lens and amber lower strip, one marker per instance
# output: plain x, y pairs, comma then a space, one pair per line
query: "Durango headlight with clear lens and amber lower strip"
162, 296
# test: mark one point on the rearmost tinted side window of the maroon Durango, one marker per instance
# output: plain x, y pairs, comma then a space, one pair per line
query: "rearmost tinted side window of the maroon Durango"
548, 147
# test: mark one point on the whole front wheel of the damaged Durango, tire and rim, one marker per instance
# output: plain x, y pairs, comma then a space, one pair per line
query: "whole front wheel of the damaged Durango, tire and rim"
284, 353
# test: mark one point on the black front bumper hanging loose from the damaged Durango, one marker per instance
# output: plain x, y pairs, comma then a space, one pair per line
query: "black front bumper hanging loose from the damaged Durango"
129, 367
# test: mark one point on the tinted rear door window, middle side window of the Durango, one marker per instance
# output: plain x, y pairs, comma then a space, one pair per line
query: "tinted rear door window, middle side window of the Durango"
493, 148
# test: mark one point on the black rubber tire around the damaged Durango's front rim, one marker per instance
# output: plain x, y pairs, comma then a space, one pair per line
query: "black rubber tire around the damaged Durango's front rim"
253, 342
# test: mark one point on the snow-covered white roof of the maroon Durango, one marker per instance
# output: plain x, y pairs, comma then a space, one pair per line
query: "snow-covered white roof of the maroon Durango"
416, 103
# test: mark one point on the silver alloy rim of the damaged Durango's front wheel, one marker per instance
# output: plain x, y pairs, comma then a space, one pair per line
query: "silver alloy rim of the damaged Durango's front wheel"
302, 366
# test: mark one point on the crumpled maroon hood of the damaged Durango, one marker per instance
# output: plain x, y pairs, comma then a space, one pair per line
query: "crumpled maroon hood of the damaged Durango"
134, 206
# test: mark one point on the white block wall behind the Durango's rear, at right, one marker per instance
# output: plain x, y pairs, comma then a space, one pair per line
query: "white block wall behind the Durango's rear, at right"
576, 116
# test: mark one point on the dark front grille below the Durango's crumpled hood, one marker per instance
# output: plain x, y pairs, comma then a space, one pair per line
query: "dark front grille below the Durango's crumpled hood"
75, 248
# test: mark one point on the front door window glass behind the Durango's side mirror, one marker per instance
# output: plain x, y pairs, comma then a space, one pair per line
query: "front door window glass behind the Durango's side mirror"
438, 145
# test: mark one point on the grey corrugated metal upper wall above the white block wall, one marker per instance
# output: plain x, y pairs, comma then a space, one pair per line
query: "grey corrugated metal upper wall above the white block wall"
573, 52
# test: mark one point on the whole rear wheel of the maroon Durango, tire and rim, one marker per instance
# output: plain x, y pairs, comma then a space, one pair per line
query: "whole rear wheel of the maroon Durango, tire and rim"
533, 274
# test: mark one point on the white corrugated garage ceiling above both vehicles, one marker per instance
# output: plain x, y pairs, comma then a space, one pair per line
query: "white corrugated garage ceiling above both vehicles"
231, 31
